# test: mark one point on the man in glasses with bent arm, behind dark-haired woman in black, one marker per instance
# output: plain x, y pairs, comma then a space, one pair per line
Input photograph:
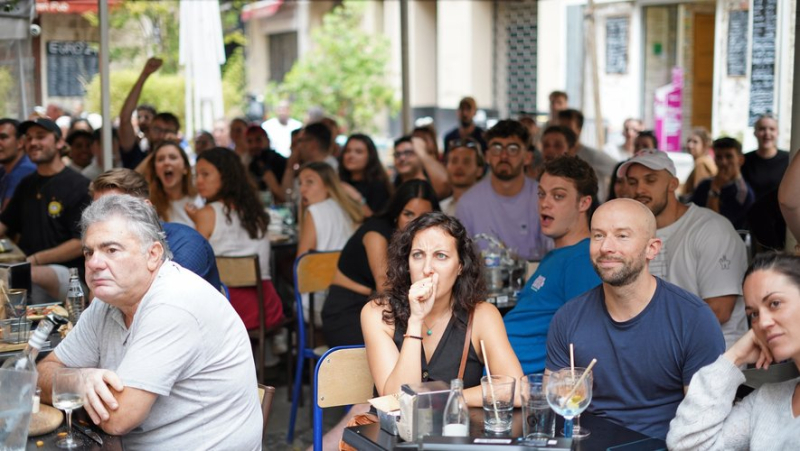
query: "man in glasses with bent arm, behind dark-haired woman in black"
413, 162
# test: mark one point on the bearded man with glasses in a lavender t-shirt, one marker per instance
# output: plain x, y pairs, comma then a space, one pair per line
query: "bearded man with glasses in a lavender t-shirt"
505, 204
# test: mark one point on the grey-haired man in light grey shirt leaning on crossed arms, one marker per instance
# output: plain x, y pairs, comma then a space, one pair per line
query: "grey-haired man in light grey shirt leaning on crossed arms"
166, 360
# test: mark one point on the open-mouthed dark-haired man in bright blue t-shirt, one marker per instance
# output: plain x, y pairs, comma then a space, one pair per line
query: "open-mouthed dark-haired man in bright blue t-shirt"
567, 191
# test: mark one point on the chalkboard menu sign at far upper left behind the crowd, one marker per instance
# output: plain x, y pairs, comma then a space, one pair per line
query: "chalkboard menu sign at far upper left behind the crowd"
70, 64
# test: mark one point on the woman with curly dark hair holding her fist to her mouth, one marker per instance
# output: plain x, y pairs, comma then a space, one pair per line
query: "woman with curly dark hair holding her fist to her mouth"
415, 331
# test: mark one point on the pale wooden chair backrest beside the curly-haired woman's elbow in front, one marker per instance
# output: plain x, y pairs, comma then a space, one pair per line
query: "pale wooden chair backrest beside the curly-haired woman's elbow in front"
343, 377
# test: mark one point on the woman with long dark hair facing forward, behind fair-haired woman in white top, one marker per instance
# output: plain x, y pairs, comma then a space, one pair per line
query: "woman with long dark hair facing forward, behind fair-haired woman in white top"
360, 167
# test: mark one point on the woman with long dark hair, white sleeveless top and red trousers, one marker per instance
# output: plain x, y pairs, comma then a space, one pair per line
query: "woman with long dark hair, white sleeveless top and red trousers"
235, 223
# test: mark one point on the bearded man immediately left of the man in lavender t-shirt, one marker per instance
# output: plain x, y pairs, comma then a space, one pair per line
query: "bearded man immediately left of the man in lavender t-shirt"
464, 167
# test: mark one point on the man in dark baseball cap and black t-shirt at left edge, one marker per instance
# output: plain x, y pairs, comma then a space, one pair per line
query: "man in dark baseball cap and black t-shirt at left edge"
45, 210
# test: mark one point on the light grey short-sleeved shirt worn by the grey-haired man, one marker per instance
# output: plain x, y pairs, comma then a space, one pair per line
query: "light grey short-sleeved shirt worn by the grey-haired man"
187, 345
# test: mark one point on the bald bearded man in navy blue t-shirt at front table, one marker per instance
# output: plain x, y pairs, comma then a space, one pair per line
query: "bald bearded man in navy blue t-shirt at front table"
649, 337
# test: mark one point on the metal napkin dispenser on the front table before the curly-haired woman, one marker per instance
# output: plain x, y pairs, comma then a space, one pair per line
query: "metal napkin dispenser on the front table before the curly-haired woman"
424, 403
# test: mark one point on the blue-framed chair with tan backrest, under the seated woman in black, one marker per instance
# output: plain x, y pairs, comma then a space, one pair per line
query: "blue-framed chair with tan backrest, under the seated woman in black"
313, 271
